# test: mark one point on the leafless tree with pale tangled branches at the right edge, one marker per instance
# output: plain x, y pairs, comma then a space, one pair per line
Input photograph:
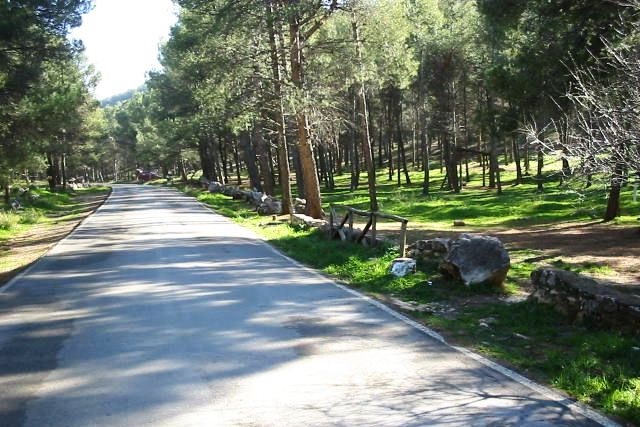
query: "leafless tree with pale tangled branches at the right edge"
601, 131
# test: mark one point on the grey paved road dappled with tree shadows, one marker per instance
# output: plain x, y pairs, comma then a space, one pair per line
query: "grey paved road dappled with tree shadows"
157, 312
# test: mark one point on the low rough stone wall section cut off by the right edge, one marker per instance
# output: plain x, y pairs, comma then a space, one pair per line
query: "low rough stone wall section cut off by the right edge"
583, 299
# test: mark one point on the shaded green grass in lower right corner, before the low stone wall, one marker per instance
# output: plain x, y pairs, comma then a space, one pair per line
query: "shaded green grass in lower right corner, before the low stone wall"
601, 368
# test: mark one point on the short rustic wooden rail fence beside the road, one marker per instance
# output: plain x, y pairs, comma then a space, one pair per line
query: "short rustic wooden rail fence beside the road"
338, 229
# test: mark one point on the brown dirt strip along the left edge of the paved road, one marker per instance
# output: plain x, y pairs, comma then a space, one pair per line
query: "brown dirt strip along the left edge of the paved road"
18, 253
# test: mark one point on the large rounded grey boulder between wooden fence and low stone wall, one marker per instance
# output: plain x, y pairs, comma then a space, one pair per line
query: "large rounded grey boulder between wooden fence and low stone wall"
476, 259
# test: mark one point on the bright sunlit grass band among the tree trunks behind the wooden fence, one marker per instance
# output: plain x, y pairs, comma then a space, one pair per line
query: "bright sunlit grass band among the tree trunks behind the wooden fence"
519, 205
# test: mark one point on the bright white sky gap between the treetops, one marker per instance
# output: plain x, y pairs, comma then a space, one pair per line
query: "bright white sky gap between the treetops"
121, 39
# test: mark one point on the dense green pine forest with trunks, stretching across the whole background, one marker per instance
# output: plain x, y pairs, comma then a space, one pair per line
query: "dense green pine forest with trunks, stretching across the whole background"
281, 92
